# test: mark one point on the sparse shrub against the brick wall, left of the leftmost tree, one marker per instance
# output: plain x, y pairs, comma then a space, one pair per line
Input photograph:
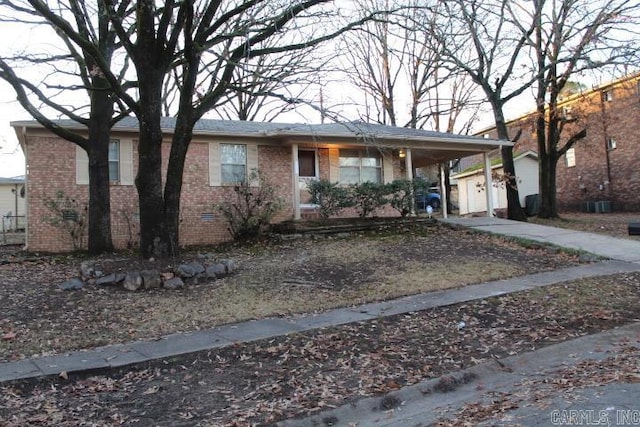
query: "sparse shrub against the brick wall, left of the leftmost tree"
69, 215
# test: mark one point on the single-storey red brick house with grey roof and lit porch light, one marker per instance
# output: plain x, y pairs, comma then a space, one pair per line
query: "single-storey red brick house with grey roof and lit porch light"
347, 152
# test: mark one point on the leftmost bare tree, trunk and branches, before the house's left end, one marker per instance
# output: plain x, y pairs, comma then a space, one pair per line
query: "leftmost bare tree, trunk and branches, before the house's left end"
71, 86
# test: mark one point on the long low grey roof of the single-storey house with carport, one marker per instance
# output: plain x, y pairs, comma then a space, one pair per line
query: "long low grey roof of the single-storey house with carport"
443, 146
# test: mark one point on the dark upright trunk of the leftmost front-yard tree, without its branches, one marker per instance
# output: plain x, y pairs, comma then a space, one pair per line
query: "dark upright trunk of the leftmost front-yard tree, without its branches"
98, 152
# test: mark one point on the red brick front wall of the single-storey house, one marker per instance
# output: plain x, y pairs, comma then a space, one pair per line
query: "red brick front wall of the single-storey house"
198, 198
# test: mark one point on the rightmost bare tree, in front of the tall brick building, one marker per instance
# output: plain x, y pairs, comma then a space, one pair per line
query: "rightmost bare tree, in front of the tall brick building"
572, 36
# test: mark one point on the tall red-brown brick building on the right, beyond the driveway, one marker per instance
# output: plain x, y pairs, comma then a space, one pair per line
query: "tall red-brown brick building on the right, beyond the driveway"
604, 165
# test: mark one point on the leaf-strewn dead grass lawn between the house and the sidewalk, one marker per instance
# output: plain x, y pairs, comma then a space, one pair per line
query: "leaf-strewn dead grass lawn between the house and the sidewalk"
273, 279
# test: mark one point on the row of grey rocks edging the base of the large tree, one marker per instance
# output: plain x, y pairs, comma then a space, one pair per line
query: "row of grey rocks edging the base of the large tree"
177, 278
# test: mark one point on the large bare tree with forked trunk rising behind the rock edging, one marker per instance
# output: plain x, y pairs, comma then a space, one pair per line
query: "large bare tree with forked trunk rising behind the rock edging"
202, 43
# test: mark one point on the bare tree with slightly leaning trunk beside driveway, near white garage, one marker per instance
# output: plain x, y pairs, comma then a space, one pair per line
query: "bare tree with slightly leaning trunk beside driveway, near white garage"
479, 37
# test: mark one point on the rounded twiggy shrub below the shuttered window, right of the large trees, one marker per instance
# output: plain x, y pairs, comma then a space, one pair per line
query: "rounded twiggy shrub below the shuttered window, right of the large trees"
249, 209
